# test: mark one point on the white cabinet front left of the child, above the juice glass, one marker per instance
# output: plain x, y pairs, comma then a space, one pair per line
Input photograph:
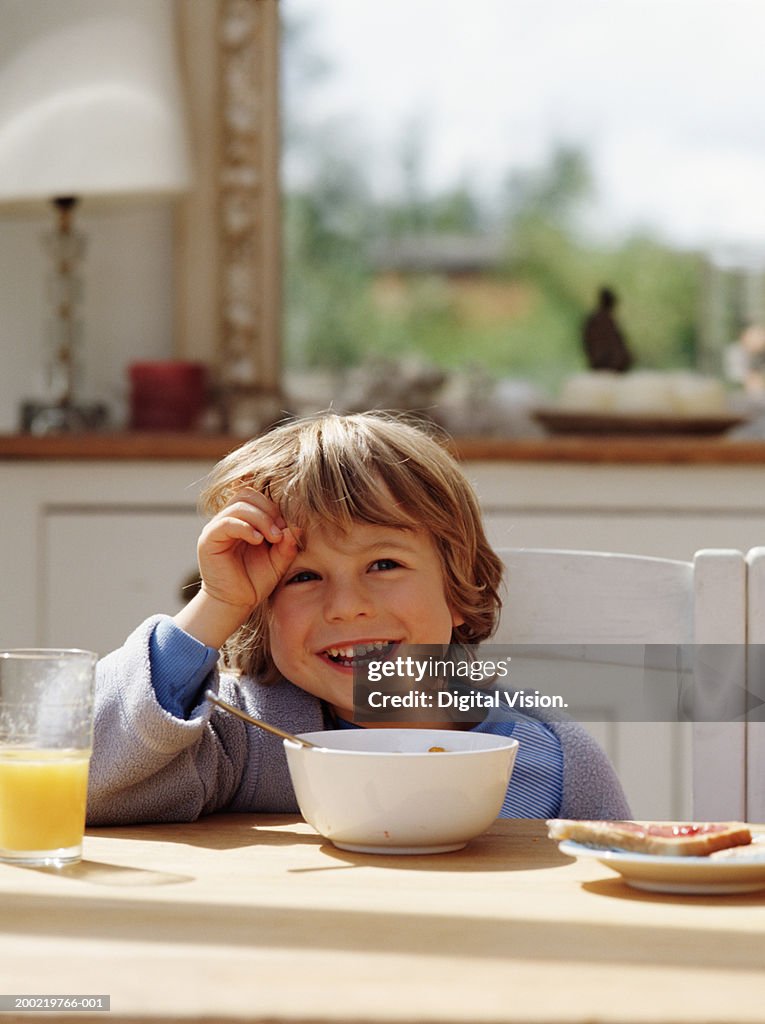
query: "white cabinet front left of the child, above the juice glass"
90, 549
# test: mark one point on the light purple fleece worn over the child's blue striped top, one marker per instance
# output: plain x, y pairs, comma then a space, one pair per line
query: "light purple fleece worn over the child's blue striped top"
150, 766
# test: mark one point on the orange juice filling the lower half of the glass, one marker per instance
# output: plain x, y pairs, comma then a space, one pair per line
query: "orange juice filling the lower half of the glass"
42, 799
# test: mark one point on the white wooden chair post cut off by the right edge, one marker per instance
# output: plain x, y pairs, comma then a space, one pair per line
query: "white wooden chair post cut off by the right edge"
756, 684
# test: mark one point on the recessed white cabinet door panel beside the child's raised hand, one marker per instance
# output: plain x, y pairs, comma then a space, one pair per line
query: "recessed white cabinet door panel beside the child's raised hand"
105, 572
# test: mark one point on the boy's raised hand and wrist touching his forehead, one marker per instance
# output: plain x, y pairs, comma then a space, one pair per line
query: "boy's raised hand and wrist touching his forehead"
243, 553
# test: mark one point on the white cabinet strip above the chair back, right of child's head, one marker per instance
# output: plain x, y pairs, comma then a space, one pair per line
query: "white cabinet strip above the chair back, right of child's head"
667, 511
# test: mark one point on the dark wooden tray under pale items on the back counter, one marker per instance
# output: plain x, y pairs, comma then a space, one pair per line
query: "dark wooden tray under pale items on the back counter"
560, 421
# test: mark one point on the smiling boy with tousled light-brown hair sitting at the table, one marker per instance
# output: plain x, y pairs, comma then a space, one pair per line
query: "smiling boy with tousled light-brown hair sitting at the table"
329, 536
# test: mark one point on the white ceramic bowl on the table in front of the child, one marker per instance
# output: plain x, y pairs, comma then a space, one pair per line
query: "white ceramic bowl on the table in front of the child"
380, 791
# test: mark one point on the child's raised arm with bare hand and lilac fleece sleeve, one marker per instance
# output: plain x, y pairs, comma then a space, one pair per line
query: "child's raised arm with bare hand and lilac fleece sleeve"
175, 759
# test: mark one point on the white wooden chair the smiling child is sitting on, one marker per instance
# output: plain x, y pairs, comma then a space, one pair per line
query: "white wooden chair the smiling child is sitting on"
596, 599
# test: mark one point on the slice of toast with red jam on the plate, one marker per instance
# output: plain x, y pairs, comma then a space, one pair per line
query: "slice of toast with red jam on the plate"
694, 839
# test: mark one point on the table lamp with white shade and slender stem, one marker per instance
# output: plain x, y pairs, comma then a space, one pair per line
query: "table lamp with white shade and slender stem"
91, 107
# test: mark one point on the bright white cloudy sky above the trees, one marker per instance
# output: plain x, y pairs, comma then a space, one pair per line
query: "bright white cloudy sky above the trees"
666, 97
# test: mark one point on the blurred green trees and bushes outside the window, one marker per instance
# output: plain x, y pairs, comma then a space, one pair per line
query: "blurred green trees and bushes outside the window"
334, 317
